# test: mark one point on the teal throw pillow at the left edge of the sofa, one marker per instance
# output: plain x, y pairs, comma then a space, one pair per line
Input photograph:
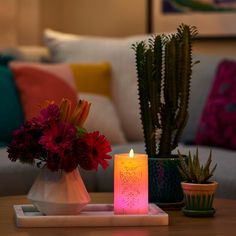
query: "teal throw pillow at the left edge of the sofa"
11, 113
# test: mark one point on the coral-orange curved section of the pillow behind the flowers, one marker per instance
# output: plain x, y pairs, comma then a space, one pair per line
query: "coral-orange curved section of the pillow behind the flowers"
36, 86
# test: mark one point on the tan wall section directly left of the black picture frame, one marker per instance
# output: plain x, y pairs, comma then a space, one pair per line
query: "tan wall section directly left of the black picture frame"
112, 18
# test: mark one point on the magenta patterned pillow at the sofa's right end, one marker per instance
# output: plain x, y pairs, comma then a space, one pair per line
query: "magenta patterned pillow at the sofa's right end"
217, 125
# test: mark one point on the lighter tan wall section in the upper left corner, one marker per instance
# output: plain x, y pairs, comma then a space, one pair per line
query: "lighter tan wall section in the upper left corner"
19, 22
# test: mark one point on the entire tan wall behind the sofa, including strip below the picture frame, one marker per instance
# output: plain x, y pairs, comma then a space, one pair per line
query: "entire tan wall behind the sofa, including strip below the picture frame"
22, 21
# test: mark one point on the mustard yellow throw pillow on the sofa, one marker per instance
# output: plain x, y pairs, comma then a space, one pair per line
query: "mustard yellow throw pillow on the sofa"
92, 78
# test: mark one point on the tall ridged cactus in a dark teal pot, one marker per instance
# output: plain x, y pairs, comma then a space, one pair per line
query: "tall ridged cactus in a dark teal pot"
164, 69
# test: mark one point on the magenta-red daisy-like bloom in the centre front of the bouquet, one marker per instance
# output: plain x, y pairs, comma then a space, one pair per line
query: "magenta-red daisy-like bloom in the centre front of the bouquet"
58, 138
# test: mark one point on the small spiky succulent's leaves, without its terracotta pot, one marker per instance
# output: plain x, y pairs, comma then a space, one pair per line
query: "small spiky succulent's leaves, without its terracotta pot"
192, 171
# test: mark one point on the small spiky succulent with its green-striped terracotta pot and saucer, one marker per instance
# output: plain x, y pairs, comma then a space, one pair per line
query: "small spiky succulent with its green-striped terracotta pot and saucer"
198, 190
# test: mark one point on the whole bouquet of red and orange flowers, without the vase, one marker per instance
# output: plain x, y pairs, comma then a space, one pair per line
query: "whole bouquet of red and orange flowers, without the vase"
56, 139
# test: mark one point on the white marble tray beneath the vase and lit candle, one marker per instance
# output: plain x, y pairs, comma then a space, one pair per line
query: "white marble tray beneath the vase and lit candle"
93, 215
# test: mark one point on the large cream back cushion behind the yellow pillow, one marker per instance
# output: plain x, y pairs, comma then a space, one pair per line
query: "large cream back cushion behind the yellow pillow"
118, 51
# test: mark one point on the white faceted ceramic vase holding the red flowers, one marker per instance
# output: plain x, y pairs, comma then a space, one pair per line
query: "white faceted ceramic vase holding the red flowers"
59, 193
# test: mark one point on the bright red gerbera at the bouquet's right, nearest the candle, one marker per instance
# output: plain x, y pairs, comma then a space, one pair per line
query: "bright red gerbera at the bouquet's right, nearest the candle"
92, 150
